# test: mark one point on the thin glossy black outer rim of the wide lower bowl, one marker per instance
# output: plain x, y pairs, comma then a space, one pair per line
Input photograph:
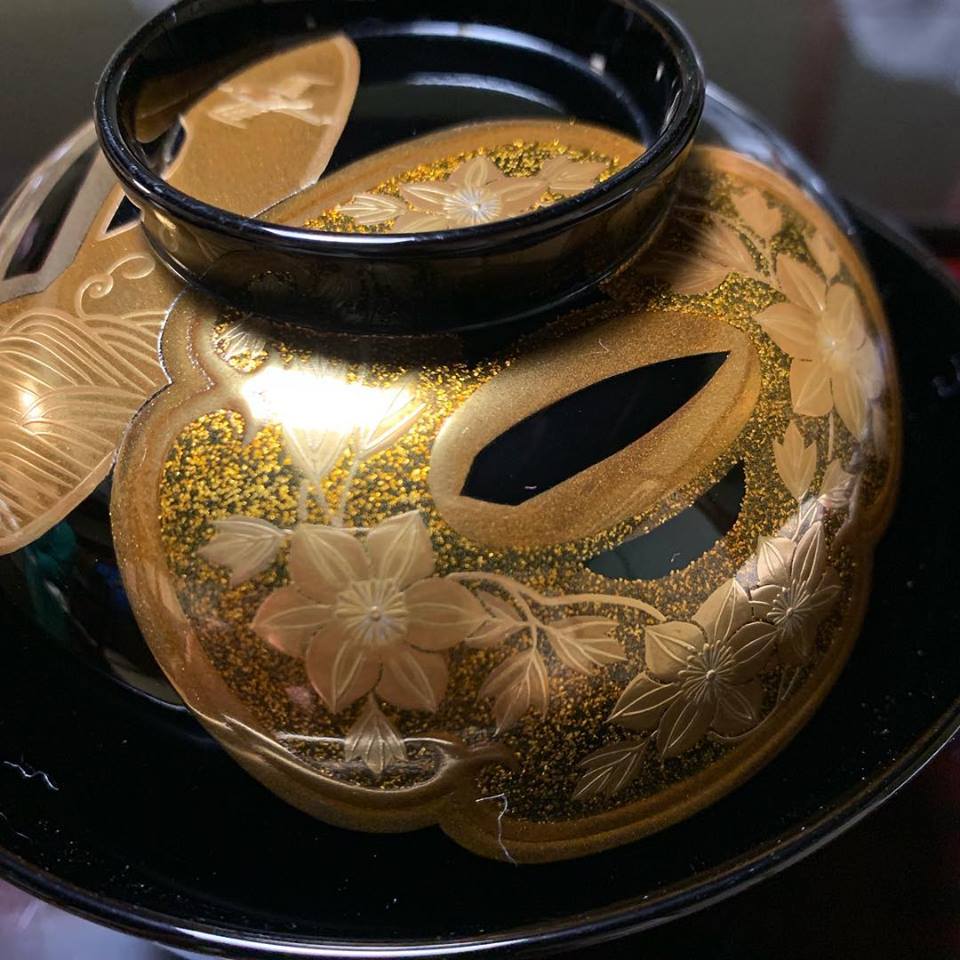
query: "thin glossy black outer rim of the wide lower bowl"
622, 919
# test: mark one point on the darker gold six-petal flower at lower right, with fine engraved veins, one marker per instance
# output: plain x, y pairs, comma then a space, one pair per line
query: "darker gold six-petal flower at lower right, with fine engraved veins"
700, 675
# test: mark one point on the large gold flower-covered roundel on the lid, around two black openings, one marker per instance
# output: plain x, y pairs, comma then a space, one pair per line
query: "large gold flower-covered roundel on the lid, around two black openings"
385, 651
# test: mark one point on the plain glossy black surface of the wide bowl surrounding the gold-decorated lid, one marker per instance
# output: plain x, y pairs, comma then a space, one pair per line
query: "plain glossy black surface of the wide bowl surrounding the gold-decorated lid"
141, 821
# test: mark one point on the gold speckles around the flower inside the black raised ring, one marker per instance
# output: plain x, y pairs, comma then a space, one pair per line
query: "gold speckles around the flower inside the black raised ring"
516, 159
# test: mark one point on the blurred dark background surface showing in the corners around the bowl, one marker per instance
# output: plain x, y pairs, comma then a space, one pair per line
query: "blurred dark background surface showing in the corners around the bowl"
870, 92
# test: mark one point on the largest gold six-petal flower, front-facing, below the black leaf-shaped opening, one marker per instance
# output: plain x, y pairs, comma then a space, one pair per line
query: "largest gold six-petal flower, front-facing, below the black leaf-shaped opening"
369, 614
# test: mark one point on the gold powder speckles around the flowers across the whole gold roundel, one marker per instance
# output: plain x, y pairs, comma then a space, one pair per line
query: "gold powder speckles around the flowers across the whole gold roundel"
210, 473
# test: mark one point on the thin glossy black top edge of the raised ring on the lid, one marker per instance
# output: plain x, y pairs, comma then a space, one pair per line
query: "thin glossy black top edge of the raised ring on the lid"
155, 193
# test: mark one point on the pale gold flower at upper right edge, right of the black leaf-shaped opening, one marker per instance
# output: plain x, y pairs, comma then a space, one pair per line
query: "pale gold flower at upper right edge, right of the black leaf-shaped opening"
835, 363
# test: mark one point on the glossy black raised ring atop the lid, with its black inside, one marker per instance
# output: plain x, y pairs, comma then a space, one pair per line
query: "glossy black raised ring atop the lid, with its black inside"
621, 63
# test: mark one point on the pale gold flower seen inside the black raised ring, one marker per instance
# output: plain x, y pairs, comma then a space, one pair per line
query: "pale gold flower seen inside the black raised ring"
477, 192
